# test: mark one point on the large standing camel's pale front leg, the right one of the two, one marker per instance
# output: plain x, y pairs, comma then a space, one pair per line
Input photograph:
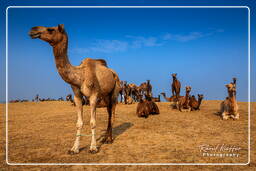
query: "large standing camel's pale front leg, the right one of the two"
93, 103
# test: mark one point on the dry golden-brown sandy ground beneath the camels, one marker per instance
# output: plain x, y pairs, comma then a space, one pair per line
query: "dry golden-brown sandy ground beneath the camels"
43, 133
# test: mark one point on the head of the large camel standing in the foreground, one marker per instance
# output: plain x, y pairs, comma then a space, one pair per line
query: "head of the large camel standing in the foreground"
52, 35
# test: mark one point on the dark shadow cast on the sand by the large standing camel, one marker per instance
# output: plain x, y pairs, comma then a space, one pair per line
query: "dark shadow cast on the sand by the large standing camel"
118, 130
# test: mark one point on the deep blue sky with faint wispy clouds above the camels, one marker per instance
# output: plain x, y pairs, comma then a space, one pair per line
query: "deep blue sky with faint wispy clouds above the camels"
205, 47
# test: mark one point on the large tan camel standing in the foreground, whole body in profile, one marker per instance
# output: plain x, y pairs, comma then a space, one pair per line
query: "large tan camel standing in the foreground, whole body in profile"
92, 78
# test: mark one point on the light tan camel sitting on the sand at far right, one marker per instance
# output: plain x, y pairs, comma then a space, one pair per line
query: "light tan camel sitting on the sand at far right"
229, 107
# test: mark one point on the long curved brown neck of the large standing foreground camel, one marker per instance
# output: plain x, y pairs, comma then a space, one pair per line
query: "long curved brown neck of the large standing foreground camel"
68, 72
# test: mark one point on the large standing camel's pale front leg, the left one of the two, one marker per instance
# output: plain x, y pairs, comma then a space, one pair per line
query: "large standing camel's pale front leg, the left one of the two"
79, 124
